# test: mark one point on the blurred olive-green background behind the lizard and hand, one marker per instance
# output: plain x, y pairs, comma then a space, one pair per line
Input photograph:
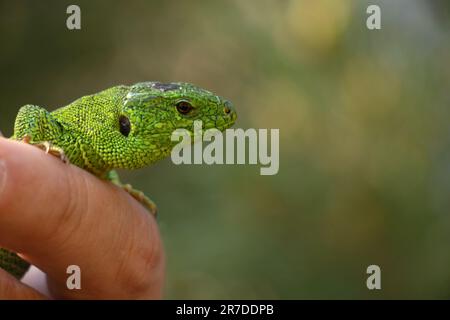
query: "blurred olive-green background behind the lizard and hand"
364, 134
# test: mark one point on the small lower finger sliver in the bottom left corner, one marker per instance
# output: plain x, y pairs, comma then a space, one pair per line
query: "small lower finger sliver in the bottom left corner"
12, 289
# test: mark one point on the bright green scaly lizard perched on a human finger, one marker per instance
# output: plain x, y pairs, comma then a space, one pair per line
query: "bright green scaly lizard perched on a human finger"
125, 127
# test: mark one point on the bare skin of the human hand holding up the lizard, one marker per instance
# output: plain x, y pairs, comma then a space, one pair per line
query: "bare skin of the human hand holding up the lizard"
57, 215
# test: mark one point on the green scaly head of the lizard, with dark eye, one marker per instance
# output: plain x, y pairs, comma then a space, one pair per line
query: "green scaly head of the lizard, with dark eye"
152, 111
